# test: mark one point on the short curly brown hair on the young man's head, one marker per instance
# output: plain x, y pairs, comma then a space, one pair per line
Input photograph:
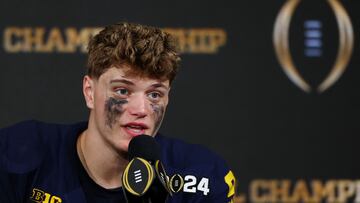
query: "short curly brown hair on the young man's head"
148, 50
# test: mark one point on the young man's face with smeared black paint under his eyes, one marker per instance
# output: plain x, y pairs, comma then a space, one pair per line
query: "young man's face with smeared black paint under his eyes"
124, 106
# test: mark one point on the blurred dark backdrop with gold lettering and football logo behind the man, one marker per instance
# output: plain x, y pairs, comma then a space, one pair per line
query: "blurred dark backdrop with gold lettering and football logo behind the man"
250, 86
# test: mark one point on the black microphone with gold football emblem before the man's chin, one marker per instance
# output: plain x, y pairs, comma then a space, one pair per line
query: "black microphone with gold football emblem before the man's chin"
144, 179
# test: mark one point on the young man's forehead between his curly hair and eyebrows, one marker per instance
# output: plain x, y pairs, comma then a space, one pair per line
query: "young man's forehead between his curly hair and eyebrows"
124, 72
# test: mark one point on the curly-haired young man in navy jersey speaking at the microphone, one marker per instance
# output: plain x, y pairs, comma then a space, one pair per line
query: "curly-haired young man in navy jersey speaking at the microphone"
130, 70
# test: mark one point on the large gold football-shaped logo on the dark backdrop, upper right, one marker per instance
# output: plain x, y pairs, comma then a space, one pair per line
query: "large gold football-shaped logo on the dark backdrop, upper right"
282, 47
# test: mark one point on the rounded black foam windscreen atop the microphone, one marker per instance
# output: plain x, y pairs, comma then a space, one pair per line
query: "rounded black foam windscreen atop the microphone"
144, 146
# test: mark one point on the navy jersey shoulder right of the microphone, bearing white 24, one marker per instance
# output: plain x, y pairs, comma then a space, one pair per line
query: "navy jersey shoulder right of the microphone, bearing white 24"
205, 175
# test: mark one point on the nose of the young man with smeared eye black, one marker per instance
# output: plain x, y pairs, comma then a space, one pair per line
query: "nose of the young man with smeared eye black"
138, 106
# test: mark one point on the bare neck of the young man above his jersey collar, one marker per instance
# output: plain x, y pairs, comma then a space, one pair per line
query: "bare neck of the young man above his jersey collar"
103, 164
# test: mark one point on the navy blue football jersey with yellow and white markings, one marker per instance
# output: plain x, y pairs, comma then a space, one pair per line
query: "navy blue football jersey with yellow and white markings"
39, 163
